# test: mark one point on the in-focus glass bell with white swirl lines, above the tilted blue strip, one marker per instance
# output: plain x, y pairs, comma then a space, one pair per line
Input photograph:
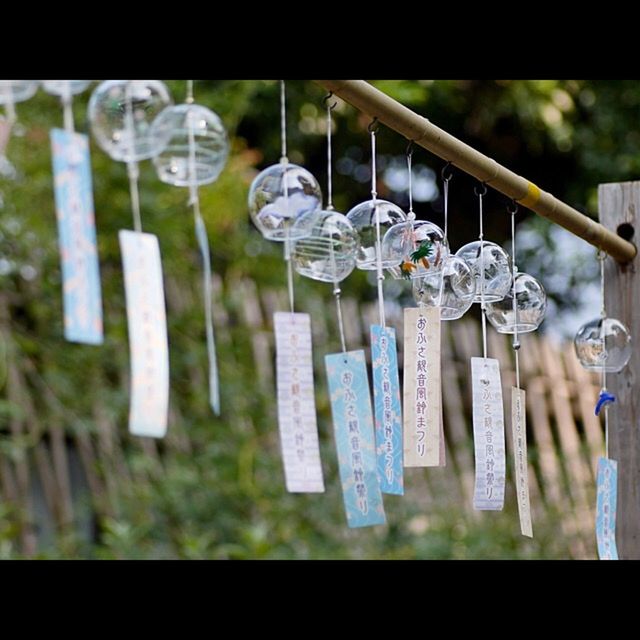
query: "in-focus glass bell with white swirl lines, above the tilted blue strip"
329, 248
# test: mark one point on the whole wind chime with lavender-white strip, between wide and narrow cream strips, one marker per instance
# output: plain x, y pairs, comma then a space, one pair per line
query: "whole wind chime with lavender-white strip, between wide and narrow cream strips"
493, 280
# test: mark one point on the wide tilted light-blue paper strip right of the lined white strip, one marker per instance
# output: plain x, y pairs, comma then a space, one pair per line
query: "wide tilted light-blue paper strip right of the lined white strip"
353, 431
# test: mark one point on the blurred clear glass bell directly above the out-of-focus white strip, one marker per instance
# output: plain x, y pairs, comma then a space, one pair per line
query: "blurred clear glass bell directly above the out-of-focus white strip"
123, 131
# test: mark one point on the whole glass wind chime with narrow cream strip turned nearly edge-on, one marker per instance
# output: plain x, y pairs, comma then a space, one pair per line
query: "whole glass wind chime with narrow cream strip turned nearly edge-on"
520, 311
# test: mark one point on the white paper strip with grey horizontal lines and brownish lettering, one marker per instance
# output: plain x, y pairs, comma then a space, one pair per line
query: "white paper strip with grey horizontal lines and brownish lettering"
296, 403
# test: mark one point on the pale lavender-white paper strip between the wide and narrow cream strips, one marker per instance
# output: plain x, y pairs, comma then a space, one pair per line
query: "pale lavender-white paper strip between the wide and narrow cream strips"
488, 434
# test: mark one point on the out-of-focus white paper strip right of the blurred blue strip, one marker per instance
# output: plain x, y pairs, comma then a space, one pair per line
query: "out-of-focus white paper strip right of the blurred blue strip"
148, 344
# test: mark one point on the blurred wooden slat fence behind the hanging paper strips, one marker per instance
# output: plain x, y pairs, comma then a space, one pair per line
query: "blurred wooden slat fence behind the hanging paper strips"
42, 481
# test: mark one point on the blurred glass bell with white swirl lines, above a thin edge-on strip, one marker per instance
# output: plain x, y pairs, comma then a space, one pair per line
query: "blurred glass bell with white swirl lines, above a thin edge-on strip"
179, 125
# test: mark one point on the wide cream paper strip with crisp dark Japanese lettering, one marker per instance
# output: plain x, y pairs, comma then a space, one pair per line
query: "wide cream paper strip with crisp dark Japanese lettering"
422, 393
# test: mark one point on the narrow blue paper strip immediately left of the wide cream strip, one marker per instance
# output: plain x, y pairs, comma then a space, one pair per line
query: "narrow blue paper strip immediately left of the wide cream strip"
388, 415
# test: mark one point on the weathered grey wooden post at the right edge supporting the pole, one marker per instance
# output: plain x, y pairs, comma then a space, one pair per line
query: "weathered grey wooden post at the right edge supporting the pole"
619, 209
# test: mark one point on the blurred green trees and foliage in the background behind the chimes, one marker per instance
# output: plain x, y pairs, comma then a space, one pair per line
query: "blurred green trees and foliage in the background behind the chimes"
219, 492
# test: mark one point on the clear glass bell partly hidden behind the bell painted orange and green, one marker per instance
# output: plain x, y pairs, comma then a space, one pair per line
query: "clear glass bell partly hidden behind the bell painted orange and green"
458, 286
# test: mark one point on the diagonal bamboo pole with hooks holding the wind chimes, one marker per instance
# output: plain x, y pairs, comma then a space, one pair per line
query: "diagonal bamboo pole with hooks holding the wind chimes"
412, 126
